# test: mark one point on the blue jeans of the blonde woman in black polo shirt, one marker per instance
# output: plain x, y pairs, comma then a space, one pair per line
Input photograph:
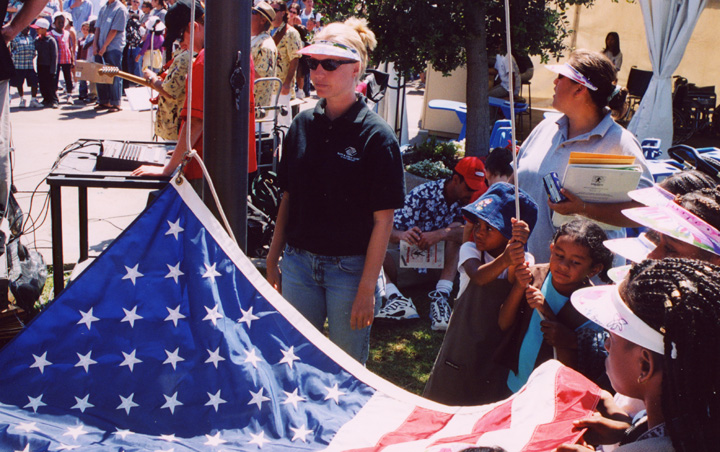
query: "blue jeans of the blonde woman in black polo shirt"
323, 287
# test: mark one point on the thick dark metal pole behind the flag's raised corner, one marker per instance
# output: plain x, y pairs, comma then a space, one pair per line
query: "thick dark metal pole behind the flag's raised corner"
225, 128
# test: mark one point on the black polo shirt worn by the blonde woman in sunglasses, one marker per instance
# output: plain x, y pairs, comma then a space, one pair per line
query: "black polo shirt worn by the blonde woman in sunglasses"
338, 173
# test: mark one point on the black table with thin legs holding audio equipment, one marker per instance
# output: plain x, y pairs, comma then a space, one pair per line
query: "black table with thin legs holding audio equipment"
75, 167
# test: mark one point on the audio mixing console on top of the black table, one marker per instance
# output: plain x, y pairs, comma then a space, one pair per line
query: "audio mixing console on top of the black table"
125, 156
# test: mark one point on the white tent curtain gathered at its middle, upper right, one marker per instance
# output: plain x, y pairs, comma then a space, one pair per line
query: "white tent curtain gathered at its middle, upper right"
668, 27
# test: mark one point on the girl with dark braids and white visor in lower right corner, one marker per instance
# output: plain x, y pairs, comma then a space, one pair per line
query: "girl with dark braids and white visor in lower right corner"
663, 324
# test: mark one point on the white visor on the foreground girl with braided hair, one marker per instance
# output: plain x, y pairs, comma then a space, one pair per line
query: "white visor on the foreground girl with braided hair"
604, 306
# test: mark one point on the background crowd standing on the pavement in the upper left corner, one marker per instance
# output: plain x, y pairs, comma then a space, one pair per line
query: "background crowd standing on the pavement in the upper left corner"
121, 35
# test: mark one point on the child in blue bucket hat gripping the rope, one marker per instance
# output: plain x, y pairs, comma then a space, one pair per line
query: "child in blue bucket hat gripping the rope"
464, 372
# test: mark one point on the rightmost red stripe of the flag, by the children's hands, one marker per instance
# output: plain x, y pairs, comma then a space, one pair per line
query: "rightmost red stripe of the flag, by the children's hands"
578, 399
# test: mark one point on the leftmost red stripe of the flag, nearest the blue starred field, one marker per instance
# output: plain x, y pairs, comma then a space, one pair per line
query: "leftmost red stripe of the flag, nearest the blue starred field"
420, 424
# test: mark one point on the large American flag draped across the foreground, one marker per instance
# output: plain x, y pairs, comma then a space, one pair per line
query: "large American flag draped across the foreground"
172, 341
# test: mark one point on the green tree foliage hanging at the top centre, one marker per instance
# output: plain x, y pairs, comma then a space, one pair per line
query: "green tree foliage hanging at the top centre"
412, 33
